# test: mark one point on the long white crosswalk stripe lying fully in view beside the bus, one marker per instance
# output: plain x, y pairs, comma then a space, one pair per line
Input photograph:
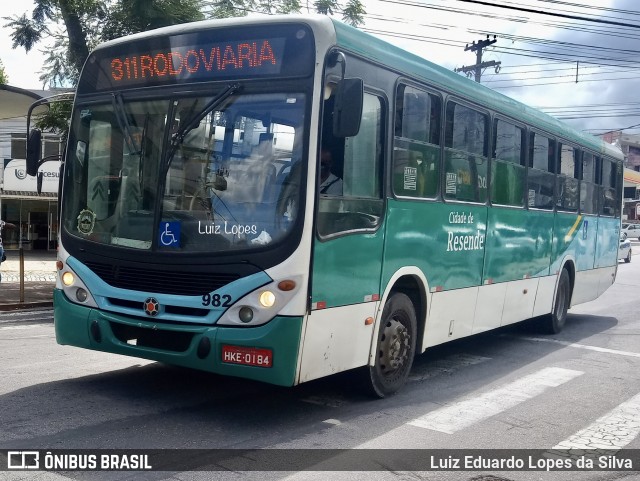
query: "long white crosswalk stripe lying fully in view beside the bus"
460, 415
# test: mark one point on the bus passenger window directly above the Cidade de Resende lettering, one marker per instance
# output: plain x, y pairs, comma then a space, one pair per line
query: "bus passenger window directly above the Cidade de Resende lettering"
465, 154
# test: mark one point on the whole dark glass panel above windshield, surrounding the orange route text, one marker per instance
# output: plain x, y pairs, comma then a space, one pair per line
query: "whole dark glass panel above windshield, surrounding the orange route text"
208, 55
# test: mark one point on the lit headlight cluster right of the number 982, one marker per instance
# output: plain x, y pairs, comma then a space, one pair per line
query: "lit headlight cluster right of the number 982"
260, 306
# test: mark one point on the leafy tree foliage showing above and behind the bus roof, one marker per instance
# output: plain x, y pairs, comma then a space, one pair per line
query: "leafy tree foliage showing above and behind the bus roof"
69, 29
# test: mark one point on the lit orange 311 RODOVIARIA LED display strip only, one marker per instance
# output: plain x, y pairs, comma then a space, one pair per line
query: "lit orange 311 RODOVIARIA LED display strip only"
261, 57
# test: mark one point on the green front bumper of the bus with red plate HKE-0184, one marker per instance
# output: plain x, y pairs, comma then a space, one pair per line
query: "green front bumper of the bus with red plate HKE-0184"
192, 346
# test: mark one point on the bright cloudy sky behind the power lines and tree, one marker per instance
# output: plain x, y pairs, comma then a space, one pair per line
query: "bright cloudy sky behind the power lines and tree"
539, 54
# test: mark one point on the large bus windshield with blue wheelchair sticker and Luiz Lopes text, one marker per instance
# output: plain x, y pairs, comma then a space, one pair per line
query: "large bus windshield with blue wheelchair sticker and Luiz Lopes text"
187, 173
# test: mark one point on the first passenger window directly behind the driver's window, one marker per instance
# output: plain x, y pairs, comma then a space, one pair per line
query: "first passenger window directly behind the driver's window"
416, 150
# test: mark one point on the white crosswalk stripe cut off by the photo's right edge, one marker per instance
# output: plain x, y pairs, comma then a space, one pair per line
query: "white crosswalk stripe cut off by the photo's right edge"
614, 430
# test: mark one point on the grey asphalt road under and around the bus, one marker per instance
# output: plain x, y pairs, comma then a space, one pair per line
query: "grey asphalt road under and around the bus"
508, 389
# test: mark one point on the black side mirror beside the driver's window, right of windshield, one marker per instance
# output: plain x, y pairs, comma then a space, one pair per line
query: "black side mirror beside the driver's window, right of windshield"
347, 110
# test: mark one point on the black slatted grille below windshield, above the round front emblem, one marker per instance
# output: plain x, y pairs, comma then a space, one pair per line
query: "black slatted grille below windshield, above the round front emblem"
161, 282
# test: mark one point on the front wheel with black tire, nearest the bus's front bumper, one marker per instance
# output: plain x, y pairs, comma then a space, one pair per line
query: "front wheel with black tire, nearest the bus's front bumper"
395, 348
